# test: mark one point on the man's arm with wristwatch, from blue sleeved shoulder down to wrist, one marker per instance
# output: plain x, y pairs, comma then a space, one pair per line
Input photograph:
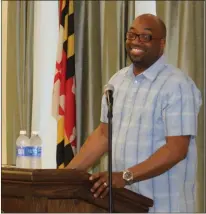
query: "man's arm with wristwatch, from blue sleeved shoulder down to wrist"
179, 114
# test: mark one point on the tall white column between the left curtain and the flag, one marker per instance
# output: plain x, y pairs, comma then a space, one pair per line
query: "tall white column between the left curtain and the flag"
45, 48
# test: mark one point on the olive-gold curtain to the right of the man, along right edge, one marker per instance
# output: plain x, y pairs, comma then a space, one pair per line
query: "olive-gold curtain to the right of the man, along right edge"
185, 49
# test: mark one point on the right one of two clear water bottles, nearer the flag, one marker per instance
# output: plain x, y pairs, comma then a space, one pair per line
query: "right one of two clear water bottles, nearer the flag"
36, 150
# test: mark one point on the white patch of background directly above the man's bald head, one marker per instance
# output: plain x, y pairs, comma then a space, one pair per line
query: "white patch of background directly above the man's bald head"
142, 7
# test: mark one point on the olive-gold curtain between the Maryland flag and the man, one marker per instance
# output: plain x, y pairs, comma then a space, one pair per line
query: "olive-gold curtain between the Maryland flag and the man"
100, 28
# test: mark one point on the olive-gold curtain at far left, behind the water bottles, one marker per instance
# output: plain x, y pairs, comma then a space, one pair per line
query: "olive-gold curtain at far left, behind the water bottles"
19, 72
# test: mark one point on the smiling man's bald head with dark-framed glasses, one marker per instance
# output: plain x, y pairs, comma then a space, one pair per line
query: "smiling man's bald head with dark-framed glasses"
146, 40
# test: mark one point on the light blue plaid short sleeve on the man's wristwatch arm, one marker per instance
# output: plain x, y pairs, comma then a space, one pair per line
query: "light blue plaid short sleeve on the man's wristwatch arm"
181, 110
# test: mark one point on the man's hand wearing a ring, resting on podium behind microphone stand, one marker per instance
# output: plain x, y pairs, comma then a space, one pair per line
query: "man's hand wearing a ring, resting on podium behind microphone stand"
100, 187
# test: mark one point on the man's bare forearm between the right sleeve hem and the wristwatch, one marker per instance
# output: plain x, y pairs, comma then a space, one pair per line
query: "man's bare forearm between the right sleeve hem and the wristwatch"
163, 159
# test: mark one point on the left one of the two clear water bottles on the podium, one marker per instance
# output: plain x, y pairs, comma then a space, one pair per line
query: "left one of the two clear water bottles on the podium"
22, 151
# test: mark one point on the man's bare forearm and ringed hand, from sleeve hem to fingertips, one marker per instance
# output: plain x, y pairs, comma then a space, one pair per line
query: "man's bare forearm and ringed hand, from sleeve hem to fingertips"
163, 159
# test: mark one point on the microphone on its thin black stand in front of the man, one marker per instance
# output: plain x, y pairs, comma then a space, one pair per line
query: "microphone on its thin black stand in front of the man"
108, 90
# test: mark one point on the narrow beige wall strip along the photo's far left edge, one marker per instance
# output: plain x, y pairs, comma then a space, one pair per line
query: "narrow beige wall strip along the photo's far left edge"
4, 54
